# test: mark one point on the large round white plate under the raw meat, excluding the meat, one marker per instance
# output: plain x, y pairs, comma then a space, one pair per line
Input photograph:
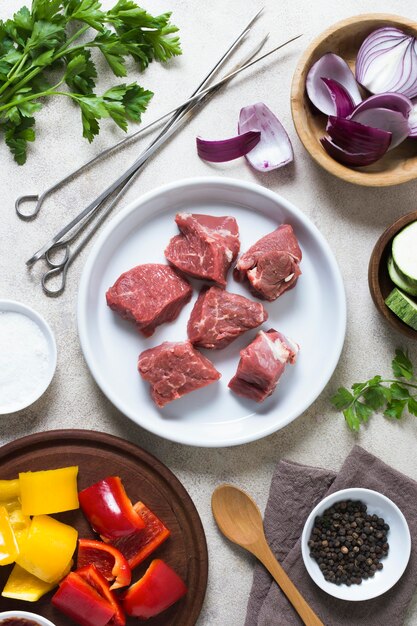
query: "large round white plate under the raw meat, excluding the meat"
313, 314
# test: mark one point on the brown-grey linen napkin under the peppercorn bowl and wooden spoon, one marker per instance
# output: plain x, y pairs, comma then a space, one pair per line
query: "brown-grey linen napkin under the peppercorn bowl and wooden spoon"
295, 490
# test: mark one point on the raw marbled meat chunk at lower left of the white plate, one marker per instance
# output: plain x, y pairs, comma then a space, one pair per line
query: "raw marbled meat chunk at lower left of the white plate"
174, 369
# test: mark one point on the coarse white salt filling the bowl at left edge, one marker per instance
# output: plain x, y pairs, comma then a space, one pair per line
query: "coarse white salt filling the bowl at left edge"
24, 361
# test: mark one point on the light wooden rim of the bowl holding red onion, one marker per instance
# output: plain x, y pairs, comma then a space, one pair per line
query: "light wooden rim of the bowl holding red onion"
367, 179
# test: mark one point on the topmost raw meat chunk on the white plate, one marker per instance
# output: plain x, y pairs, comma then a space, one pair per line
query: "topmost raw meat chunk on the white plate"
206, 247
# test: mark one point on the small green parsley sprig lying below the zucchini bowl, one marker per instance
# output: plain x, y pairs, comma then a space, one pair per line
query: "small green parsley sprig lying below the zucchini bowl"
391, 395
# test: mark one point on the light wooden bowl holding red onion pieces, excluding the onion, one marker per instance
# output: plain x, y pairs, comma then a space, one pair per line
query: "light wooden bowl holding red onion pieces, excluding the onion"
345, 38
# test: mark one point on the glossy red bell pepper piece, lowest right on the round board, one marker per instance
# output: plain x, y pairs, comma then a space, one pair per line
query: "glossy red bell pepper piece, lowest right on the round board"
159, 588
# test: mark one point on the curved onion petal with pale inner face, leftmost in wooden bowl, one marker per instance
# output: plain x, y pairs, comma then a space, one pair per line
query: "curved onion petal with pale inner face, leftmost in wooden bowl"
332, 67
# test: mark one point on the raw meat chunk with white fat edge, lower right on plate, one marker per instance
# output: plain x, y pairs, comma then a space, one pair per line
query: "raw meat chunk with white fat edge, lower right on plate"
261, 365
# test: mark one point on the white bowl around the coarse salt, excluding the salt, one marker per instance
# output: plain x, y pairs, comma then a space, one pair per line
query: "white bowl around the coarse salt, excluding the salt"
17, 307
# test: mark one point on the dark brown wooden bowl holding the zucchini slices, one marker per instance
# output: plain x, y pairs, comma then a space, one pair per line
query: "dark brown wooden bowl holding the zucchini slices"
380, 284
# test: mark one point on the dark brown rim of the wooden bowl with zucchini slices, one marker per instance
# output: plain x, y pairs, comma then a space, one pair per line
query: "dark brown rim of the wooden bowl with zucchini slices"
373, 273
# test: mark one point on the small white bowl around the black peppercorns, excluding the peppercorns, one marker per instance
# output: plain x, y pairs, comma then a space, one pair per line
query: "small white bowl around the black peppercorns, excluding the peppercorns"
394, 563
